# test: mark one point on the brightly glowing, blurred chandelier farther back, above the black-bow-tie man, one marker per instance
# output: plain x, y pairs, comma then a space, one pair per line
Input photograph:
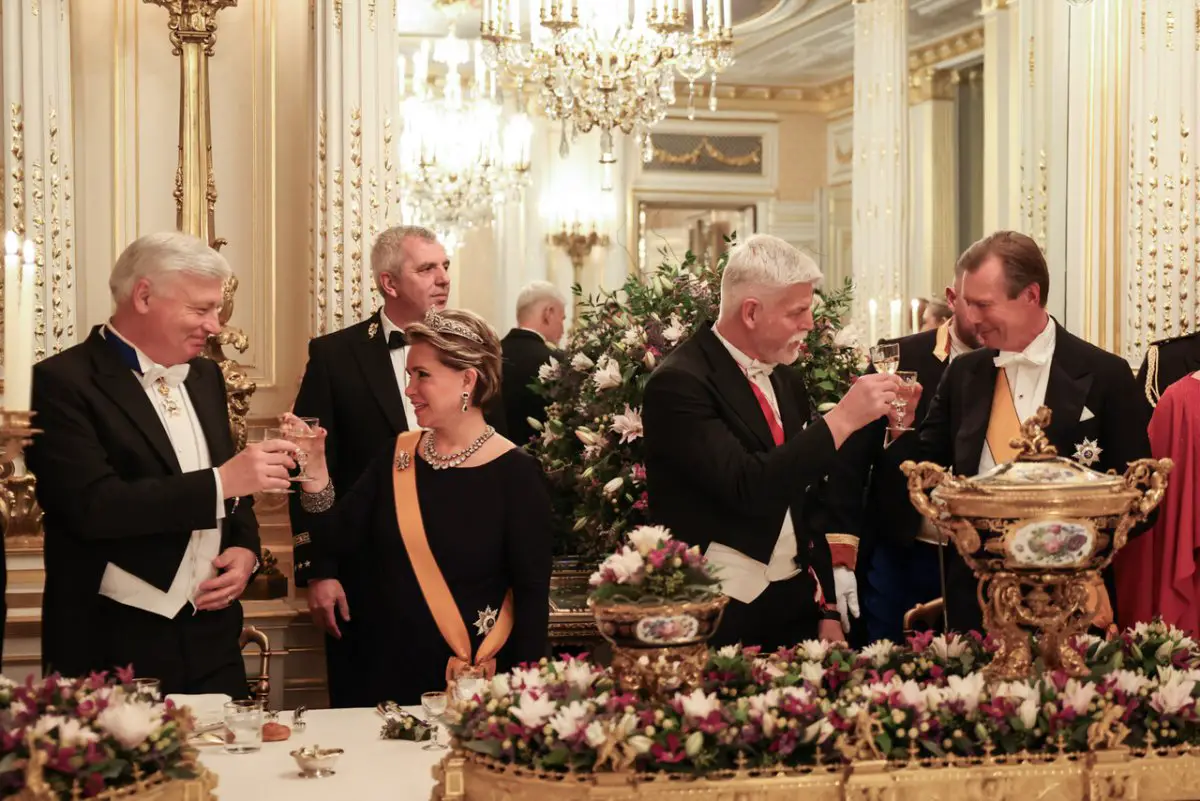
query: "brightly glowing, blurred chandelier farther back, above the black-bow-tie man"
460, 154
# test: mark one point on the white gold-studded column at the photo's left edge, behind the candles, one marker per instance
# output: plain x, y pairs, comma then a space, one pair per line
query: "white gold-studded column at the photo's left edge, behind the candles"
38, 158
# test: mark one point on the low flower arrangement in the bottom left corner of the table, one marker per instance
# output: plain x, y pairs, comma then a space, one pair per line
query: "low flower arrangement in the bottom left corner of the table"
94, 734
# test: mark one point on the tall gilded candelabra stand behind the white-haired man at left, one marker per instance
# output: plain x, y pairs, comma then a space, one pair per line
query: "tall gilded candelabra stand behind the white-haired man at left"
193, 26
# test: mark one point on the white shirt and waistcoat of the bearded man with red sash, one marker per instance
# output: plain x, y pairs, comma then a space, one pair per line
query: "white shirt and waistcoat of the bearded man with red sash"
742, 577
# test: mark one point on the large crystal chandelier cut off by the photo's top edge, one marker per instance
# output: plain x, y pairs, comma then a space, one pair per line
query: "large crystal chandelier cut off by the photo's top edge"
601, 64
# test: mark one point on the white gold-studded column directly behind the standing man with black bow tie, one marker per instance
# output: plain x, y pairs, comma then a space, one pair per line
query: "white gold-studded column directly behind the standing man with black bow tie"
357, 191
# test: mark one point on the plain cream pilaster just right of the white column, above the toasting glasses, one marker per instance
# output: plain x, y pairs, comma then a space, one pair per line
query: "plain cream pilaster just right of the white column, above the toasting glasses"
934, 189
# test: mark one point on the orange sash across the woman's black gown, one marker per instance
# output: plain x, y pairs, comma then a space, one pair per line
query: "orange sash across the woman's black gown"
434, 586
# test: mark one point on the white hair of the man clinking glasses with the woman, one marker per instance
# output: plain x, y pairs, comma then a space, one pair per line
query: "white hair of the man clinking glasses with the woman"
157, 256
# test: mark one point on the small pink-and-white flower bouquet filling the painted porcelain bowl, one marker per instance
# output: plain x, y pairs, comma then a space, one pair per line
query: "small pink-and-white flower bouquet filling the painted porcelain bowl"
656, 569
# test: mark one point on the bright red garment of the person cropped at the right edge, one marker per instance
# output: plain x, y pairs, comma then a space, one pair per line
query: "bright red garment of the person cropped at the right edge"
1157, 573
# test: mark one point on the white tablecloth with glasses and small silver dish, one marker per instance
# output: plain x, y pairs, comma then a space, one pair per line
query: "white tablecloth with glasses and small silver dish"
371, 768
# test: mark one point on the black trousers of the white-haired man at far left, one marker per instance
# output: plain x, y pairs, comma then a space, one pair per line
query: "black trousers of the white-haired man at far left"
194, 653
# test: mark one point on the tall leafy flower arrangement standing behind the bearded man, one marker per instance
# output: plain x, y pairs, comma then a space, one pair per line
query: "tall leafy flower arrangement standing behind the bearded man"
592, 447
